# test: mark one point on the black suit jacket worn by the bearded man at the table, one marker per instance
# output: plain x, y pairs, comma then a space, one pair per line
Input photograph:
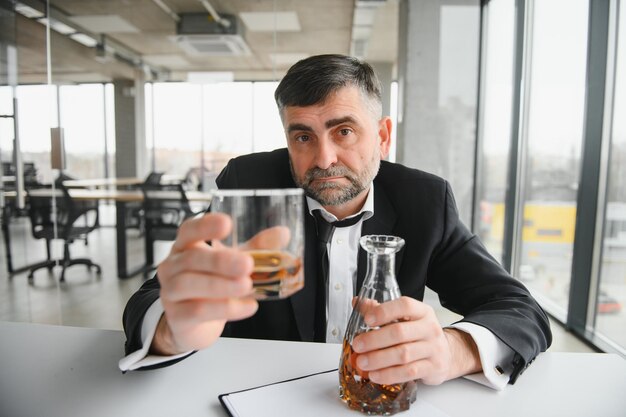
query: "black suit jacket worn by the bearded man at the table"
439, 253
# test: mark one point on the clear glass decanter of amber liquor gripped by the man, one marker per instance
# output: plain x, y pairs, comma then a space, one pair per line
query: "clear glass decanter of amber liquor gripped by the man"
380, 286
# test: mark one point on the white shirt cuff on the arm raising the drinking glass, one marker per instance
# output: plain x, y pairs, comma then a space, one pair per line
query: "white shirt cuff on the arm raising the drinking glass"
140, 358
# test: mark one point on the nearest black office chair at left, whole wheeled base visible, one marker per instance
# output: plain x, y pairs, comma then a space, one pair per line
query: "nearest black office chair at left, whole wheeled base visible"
70, 225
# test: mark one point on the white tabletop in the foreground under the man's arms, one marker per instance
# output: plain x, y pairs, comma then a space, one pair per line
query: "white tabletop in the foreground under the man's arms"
63, 371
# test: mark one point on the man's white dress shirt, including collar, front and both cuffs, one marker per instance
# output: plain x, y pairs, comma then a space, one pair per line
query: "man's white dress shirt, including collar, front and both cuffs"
495, 355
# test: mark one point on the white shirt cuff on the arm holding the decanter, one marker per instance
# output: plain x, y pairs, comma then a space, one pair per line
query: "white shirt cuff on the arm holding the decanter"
495, 356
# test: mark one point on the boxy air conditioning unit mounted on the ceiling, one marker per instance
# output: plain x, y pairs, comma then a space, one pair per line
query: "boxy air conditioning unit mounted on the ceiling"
200, 34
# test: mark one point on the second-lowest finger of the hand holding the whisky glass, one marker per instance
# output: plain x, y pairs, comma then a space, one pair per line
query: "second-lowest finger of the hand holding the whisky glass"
194, 285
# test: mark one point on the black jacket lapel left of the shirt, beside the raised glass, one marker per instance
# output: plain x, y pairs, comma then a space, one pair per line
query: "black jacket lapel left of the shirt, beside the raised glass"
303, 302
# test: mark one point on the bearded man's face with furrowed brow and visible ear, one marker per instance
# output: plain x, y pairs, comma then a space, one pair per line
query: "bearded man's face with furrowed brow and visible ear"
335, 148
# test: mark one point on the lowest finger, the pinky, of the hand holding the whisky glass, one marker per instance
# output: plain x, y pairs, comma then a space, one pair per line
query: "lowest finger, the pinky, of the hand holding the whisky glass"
200, 311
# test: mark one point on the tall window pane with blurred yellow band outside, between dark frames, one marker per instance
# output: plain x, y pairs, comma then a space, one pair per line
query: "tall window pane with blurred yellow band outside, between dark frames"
554, 139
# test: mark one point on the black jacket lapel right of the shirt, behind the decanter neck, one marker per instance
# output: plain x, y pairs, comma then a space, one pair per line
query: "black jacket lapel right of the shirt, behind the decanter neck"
381, 223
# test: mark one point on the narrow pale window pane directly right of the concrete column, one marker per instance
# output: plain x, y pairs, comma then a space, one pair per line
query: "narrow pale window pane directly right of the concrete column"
454, 124
